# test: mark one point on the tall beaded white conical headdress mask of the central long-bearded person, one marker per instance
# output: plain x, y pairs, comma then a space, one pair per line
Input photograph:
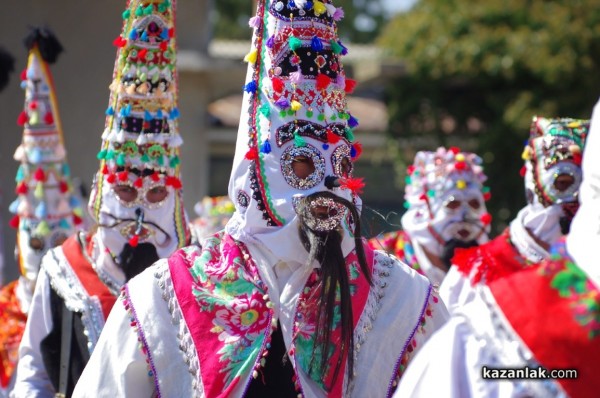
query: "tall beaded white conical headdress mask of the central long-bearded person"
294, 110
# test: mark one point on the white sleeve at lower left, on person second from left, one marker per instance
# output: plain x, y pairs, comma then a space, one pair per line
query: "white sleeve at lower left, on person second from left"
32, 379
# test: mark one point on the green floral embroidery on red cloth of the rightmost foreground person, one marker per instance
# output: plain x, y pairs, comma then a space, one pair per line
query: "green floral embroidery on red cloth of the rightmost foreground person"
574, 285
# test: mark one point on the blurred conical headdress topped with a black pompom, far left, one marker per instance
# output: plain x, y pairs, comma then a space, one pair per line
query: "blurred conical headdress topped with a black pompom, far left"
46, 211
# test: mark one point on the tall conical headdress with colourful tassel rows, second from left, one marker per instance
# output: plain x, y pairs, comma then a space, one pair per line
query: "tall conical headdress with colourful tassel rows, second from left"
139, 177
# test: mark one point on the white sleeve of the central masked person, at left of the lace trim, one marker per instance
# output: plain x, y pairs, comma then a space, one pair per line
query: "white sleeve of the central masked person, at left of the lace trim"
117, 367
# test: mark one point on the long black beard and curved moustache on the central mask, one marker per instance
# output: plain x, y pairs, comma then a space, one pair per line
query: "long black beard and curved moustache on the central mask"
326, 248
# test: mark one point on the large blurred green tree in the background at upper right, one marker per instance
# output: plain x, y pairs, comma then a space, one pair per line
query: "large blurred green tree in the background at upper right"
478, 71
